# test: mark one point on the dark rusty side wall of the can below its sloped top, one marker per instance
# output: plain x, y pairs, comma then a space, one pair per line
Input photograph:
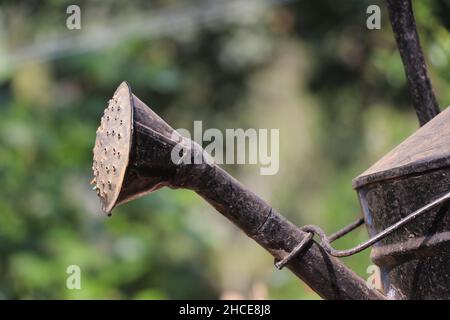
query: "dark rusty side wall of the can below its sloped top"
415, 259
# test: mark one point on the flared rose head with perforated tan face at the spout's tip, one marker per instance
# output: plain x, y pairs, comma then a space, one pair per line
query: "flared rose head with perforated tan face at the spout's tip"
133, 151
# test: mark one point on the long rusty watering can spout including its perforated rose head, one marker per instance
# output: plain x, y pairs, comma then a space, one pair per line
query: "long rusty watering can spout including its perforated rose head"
136, 153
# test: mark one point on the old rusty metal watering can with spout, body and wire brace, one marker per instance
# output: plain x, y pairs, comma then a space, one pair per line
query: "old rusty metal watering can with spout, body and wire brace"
403, 199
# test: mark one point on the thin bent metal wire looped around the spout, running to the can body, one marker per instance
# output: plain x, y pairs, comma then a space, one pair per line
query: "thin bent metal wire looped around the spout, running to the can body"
326, 241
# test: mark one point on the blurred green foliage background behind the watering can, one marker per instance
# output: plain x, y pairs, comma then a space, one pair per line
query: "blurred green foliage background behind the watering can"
335, 89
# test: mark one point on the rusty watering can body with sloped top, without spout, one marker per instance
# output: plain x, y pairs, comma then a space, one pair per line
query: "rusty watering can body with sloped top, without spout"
414, 260
